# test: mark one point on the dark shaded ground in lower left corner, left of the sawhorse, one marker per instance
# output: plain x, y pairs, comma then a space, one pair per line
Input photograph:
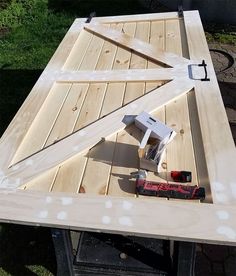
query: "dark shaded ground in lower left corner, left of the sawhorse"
27, 250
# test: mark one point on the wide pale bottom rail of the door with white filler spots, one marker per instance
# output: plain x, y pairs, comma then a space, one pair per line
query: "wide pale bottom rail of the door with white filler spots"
142, 217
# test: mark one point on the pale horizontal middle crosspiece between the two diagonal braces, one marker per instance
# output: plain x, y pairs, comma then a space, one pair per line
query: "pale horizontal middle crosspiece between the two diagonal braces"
135, 75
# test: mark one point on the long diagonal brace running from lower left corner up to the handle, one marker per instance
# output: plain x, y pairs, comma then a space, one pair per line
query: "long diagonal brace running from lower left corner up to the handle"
86, 138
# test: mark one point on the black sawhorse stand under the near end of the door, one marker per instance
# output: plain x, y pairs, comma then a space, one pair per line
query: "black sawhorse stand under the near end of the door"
84, 253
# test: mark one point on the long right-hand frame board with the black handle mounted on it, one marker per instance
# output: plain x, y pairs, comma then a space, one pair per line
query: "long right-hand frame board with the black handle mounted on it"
219, 148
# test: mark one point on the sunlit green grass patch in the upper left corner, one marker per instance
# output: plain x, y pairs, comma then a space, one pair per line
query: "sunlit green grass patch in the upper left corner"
33, 33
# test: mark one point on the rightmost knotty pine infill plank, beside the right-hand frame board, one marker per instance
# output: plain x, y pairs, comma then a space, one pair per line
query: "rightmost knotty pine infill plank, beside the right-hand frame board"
180, 154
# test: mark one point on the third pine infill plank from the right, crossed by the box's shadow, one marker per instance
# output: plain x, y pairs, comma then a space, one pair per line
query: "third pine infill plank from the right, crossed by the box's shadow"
125, 159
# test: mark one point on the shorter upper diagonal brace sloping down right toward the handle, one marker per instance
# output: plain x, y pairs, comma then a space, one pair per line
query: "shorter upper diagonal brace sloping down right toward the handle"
136, 45
